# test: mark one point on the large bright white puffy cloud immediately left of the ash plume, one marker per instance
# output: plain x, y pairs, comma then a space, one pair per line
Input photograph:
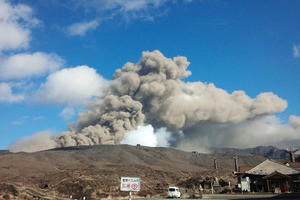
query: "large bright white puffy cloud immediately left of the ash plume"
71, 86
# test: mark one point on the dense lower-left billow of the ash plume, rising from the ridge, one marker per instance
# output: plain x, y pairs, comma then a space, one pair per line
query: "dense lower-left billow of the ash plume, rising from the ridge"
105, 122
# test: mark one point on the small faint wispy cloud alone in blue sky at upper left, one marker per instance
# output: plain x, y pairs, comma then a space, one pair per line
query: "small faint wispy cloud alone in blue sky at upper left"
80, 29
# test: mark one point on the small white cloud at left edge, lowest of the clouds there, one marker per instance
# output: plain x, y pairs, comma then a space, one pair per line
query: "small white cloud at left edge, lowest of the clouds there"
7, 96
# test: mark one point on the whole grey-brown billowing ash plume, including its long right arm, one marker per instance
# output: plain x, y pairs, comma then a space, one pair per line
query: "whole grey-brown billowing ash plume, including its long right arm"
152, 92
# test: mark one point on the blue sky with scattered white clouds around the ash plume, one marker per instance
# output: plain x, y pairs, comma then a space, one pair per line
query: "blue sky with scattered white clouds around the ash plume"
252, 46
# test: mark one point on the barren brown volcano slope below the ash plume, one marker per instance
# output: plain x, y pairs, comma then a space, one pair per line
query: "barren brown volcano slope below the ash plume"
95, 171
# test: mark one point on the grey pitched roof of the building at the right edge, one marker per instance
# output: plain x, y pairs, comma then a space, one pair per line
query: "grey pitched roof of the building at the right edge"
268, 167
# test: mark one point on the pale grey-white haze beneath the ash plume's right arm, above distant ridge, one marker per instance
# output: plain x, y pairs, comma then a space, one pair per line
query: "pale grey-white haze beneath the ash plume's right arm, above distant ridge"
266, 130
